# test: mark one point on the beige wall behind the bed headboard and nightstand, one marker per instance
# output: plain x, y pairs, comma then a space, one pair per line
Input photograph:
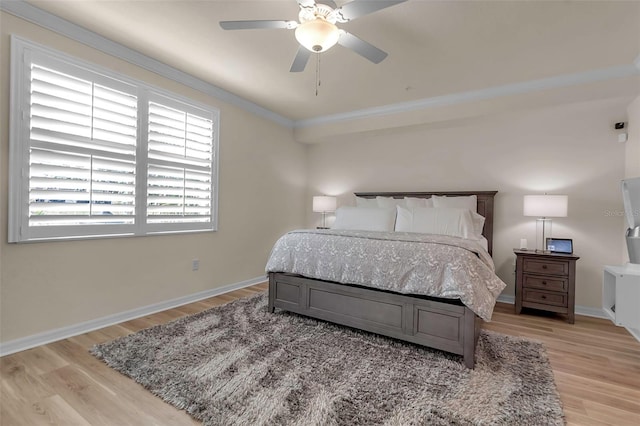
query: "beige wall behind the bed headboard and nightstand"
569, 149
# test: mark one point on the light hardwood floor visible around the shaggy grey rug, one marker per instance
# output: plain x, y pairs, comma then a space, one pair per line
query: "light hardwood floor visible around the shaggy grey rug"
596, 367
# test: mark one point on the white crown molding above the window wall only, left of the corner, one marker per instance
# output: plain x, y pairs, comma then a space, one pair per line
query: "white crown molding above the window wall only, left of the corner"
28, 12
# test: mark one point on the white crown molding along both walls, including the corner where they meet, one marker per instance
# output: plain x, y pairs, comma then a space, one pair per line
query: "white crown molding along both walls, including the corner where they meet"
26, 11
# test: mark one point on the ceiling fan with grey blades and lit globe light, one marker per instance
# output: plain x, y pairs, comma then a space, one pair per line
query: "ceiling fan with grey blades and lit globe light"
317, 32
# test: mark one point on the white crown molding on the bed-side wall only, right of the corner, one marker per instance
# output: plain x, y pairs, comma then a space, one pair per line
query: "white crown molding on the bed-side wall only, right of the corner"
477, 95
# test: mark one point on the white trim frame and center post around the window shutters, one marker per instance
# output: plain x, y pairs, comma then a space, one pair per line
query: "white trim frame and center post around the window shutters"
18, 219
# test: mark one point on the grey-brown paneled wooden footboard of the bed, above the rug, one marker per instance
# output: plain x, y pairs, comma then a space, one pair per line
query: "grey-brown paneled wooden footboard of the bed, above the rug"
448, 326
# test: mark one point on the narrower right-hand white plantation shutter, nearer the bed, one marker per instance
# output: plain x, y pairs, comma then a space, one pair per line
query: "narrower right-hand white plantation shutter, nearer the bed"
180, 163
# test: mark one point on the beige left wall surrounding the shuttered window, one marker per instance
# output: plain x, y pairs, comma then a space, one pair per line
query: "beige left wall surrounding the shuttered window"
45, 286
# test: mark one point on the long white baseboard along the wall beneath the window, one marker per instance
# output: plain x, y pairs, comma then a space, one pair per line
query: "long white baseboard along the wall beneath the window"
39, 339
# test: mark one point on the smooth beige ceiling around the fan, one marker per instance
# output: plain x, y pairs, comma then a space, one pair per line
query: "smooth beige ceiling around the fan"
436, 48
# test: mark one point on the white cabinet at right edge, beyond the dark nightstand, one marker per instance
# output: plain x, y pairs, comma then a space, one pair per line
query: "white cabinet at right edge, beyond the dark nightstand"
621, 296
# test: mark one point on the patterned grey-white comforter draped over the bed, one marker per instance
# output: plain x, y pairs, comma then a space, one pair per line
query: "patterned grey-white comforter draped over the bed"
403, 262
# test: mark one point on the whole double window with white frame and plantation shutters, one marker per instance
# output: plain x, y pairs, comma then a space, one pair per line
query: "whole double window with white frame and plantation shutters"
94, 153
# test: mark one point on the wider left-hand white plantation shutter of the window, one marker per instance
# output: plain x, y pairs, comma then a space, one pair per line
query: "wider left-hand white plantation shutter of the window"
83, 151
